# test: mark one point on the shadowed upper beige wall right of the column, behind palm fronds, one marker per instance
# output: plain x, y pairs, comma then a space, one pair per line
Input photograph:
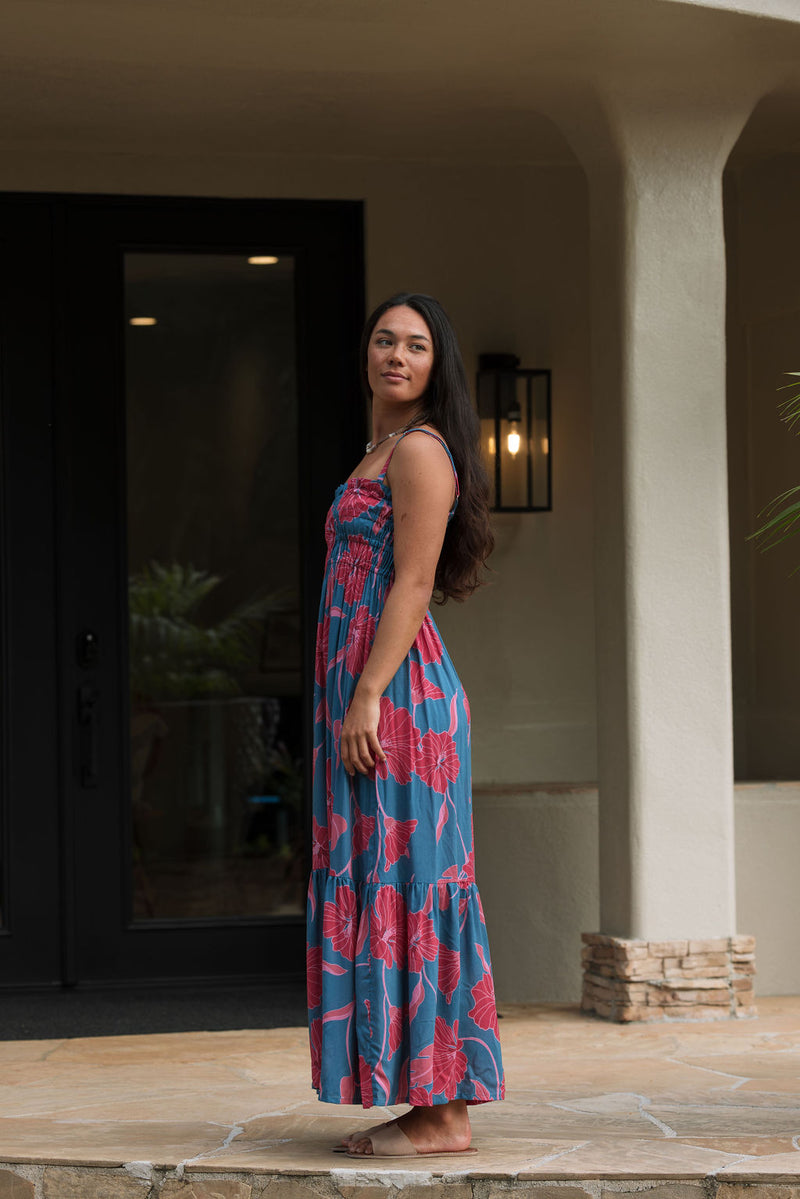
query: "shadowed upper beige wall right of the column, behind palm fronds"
763, 201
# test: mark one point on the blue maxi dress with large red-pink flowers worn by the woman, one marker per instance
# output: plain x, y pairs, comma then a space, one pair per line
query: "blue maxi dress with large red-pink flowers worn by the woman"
401, 998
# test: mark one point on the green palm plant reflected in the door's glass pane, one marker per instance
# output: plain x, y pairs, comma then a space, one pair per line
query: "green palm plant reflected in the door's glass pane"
173, 655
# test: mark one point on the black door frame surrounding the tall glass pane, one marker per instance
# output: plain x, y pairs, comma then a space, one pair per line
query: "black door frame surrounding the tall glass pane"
89, 237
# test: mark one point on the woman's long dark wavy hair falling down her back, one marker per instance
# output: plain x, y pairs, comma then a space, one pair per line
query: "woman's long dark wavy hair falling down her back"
448, 407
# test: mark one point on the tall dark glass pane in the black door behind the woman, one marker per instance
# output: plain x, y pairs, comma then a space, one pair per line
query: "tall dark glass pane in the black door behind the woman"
214, 567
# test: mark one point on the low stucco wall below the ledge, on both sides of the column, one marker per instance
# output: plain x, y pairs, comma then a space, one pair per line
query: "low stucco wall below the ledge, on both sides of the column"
537, 857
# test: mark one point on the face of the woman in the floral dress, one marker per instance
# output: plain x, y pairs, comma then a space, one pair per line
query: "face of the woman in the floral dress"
400, 357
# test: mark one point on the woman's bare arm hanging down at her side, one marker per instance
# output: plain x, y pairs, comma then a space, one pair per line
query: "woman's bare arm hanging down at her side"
423, 487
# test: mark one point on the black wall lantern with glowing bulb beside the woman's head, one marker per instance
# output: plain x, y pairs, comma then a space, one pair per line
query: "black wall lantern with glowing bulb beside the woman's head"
515, 411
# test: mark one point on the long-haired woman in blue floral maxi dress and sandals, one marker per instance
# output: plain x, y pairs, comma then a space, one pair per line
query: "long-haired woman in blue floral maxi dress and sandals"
400, 983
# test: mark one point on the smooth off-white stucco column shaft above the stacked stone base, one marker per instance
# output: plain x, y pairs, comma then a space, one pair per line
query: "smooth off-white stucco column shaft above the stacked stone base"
655, 167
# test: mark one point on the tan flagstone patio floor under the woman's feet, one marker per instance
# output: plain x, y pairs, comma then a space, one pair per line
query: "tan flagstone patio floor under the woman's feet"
689, 1111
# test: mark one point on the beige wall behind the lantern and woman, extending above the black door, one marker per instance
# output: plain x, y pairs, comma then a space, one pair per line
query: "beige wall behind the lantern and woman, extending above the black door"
506, 249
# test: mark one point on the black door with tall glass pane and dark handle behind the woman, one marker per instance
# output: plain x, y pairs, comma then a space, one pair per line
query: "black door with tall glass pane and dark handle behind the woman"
206, 408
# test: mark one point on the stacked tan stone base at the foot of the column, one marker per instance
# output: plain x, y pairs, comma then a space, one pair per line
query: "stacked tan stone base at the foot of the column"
705, 980
